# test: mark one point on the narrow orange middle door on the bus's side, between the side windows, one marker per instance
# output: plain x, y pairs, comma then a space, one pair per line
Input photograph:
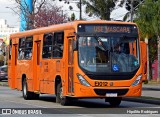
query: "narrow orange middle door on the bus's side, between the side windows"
37, 65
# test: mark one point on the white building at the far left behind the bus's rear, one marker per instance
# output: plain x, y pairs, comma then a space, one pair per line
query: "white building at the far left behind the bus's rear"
5, 30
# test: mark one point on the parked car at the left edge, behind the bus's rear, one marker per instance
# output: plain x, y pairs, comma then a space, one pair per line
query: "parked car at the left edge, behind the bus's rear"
3, 73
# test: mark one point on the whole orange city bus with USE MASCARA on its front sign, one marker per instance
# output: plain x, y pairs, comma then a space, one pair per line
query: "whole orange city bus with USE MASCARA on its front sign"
80, 59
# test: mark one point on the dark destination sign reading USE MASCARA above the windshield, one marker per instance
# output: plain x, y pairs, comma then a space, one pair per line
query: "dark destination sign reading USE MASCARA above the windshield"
107, 28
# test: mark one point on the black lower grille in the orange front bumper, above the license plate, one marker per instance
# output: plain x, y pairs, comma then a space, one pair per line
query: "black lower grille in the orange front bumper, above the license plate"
103, 92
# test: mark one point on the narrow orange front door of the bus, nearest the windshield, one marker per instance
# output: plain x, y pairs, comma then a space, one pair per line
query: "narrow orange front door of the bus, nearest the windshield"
70, 66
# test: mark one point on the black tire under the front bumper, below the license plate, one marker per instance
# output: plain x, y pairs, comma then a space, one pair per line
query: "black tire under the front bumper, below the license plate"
114, 101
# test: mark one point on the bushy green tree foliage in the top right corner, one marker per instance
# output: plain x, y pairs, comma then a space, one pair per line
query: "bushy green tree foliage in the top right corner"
148, 18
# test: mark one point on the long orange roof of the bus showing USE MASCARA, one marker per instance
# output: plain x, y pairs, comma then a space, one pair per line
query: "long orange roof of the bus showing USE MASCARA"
64, 26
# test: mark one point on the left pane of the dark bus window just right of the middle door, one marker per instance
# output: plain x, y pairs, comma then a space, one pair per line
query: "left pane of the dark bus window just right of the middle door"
47, 45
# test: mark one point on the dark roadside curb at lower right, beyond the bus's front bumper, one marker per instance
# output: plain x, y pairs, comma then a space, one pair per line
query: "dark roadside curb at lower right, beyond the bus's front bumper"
142, 100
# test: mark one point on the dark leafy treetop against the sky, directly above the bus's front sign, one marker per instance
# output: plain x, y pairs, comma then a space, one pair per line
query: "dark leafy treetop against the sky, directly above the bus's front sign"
100, 8
